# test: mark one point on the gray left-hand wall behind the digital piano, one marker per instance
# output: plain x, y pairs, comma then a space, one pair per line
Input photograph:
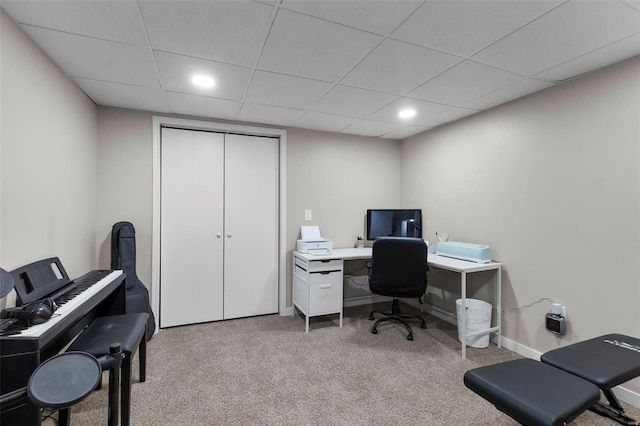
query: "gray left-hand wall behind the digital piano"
49, 161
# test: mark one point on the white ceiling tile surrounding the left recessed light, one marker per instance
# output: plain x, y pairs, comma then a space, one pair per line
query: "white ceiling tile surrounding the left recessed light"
176, 72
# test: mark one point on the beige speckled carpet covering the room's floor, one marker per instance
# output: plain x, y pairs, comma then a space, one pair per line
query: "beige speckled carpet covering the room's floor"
268, 371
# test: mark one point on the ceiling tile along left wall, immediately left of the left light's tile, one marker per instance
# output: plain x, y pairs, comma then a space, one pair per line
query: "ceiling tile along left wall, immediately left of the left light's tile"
87, 57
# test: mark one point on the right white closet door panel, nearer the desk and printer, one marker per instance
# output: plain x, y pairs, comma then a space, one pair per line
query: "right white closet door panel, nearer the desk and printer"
251, 226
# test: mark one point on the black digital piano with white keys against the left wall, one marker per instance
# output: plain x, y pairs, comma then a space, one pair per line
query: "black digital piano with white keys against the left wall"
21, 351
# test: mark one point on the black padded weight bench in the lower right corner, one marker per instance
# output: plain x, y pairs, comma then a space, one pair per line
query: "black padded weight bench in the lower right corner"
567, 381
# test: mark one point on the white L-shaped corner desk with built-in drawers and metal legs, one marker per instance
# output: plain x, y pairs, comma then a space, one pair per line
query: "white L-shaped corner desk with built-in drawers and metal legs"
317, 284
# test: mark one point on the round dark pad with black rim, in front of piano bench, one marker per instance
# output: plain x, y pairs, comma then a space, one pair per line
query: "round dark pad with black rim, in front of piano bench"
64, 380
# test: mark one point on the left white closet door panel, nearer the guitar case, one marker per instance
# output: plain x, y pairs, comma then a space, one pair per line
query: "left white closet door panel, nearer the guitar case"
191, 258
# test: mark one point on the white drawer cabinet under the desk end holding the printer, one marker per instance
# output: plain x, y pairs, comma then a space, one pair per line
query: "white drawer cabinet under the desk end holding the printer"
317, 287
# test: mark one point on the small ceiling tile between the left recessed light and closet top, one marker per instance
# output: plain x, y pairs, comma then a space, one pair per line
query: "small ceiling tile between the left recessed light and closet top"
202, 106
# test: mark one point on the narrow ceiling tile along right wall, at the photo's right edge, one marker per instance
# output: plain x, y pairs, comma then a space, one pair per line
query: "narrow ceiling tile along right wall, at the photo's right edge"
616, 52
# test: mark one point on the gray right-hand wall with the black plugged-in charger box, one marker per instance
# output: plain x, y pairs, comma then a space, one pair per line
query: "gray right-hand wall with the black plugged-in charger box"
552, 183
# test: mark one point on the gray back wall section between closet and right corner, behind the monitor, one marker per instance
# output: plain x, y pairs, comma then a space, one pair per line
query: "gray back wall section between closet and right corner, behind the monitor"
338, 177
